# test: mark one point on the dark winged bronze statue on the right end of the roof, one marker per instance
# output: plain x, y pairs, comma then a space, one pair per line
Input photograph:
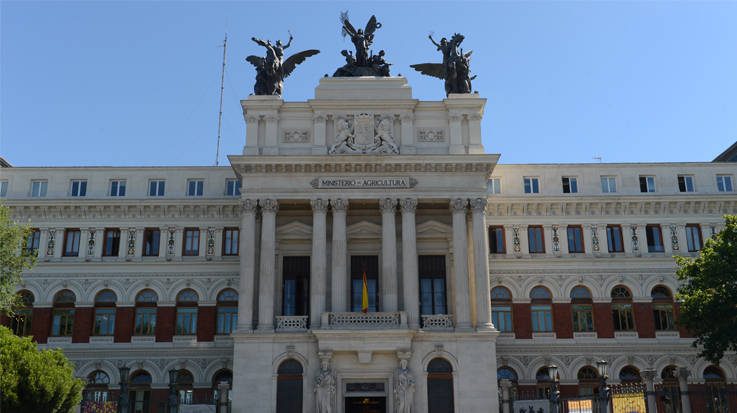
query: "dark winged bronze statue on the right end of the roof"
455, 69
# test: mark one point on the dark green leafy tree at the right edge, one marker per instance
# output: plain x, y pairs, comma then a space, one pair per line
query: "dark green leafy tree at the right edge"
709, 293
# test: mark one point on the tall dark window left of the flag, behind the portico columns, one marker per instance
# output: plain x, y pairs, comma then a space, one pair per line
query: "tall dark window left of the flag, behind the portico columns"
296, 286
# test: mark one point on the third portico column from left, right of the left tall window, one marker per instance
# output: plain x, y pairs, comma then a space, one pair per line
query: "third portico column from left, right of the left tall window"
318, 262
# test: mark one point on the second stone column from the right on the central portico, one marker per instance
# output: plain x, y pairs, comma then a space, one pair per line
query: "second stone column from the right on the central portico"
460, 264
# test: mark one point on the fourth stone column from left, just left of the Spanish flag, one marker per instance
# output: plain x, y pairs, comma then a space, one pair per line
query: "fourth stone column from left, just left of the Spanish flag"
340, 255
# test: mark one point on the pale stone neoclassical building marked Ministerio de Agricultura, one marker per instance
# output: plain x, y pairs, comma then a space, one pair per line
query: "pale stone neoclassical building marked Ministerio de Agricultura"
473, 271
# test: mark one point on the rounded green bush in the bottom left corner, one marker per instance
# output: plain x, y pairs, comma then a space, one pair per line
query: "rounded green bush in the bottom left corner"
33, 380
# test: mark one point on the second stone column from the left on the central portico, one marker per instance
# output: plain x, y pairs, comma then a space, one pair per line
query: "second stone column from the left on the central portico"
267, 273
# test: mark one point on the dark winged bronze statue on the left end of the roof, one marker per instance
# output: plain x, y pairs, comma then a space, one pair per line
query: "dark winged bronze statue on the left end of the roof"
272, 69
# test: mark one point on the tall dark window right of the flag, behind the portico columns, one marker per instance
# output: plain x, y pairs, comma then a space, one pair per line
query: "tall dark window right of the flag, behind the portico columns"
432, 284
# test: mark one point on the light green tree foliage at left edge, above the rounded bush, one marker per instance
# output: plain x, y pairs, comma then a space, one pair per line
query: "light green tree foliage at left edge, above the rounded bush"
13, 258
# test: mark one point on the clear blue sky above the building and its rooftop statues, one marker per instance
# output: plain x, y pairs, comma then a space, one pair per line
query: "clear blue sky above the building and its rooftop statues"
137, 83
